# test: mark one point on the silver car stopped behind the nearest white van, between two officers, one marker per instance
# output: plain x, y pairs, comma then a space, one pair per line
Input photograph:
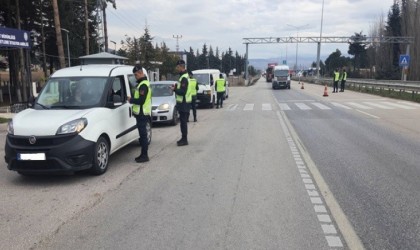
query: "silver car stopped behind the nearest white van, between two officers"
164, 103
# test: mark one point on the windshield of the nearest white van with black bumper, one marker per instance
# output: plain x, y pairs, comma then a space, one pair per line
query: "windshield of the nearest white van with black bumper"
71, 92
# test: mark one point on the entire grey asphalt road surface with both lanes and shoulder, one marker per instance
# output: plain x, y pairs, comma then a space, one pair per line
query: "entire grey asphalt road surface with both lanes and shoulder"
273, 169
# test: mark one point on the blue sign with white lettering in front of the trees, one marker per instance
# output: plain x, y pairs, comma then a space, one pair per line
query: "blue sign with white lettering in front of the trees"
14, 38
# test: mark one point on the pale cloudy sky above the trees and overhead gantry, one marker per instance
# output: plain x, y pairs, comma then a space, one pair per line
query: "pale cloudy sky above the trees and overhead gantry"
224, 24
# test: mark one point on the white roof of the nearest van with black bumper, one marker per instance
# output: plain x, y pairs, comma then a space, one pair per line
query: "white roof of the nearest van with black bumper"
93, 70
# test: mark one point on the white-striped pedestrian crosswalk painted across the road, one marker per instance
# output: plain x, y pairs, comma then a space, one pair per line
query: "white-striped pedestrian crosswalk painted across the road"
313, 105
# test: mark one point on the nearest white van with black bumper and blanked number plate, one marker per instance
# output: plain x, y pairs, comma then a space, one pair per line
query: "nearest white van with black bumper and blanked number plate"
62, 133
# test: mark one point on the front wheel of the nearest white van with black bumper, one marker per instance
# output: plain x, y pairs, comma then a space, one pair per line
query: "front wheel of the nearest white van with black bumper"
100, 157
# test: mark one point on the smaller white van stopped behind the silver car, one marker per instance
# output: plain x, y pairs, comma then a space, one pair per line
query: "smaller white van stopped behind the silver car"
206, 94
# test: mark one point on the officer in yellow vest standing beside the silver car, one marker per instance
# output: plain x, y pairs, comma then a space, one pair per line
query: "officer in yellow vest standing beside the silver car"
183, 100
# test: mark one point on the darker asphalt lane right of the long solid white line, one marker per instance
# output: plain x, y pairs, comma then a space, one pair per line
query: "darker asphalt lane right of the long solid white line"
367, 150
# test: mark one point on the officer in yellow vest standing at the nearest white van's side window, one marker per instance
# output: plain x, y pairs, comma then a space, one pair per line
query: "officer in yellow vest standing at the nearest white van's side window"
142, 109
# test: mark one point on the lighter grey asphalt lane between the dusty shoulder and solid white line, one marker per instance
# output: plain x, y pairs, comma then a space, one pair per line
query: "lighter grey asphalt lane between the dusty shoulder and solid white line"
241, 185
